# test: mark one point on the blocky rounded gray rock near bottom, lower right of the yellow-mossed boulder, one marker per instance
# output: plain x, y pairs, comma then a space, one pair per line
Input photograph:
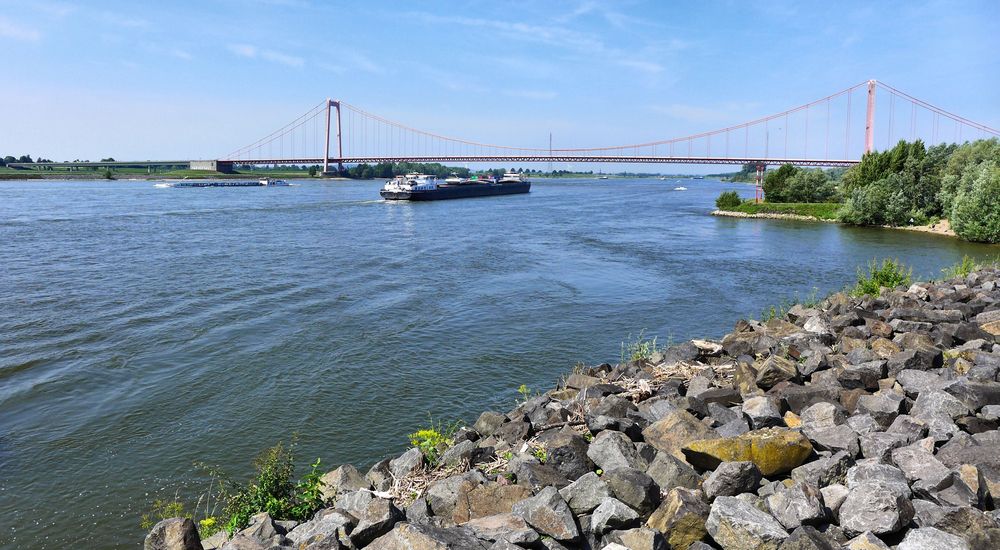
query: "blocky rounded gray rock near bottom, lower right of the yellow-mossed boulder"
874, 507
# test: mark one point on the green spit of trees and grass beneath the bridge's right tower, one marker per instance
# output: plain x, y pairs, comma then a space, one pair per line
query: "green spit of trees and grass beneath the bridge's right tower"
947, 189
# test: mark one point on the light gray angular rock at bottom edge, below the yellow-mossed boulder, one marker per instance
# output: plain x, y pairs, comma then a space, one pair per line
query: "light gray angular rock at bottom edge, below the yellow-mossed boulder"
733, 523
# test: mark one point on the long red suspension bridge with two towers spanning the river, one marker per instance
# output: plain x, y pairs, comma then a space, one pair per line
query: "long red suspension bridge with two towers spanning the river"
832, 131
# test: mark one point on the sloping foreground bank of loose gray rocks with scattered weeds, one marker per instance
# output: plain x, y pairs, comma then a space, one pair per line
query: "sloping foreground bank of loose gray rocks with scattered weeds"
798, 427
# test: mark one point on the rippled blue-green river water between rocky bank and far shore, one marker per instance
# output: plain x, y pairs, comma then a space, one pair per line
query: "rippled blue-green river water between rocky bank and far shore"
143, 329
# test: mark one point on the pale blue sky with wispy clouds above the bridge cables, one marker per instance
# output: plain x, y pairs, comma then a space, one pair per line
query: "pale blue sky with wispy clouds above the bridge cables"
197, 79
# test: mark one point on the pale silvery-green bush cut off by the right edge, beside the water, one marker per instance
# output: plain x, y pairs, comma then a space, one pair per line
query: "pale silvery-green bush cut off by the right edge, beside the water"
975, 213
